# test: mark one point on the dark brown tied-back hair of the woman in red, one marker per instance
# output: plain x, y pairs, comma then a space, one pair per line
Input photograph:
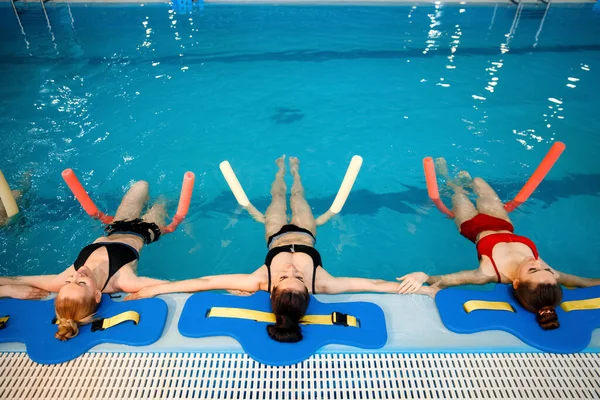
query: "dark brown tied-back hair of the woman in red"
541, 299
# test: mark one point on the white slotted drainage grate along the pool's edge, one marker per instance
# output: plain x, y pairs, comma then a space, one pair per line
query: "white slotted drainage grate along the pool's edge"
324, 376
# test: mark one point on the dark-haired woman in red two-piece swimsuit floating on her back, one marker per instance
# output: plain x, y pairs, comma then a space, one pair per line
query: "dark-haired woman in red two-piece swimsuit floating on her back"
503, 256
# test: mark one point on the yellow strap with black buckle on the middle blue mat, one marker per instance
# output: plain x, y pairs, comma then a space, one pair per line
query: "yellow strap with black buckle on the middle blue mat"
334, 318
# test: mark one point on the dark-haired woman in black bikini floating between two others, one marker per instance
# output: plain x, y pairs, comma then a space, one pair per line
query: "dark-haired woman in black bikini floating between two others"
292, 267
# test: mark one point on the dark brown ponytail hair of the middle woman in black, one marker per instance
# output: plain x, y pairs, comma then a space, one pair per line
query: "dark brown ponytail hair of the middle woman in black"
289, 306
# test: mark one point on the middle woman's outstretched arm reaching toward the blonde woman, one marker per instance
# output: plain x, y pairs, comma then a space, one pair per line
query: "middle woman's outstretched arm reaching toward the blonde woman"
243, 282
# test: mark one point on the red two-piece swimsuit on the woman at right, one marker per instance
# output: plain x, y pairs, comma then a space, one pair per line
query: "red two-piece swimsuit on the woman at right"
485, 246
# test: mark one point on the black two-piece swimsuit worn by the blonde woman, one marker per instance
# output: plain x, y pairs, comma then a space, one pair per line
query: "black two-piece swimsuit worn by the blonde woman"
120, 254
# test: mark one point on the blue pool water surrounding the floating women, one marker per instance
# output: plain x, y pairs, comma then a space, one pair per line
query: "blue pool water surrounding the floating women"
120, 93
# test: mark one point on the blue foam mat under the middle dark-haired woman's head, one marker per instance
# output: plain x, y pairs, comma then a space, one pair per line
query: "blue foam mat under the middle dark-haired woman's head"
255, 340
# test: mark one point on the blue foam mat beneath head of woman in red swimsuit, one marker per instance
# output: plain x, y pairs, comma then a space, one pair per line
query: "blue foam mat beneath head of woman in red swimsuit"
573, 335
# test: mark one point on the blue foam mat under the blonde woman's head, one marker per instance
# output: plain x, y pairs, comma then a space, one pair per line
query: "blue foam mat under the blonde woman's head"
30, 322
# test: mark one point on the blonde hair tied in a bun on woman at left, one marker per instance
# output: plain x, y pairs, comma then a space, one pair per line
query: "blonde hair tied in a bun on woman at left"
70, 313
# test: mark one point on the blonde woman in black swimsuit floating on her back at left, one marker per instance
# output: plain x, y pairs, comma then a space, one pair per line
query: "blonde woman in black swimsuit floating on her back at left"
108, 265
